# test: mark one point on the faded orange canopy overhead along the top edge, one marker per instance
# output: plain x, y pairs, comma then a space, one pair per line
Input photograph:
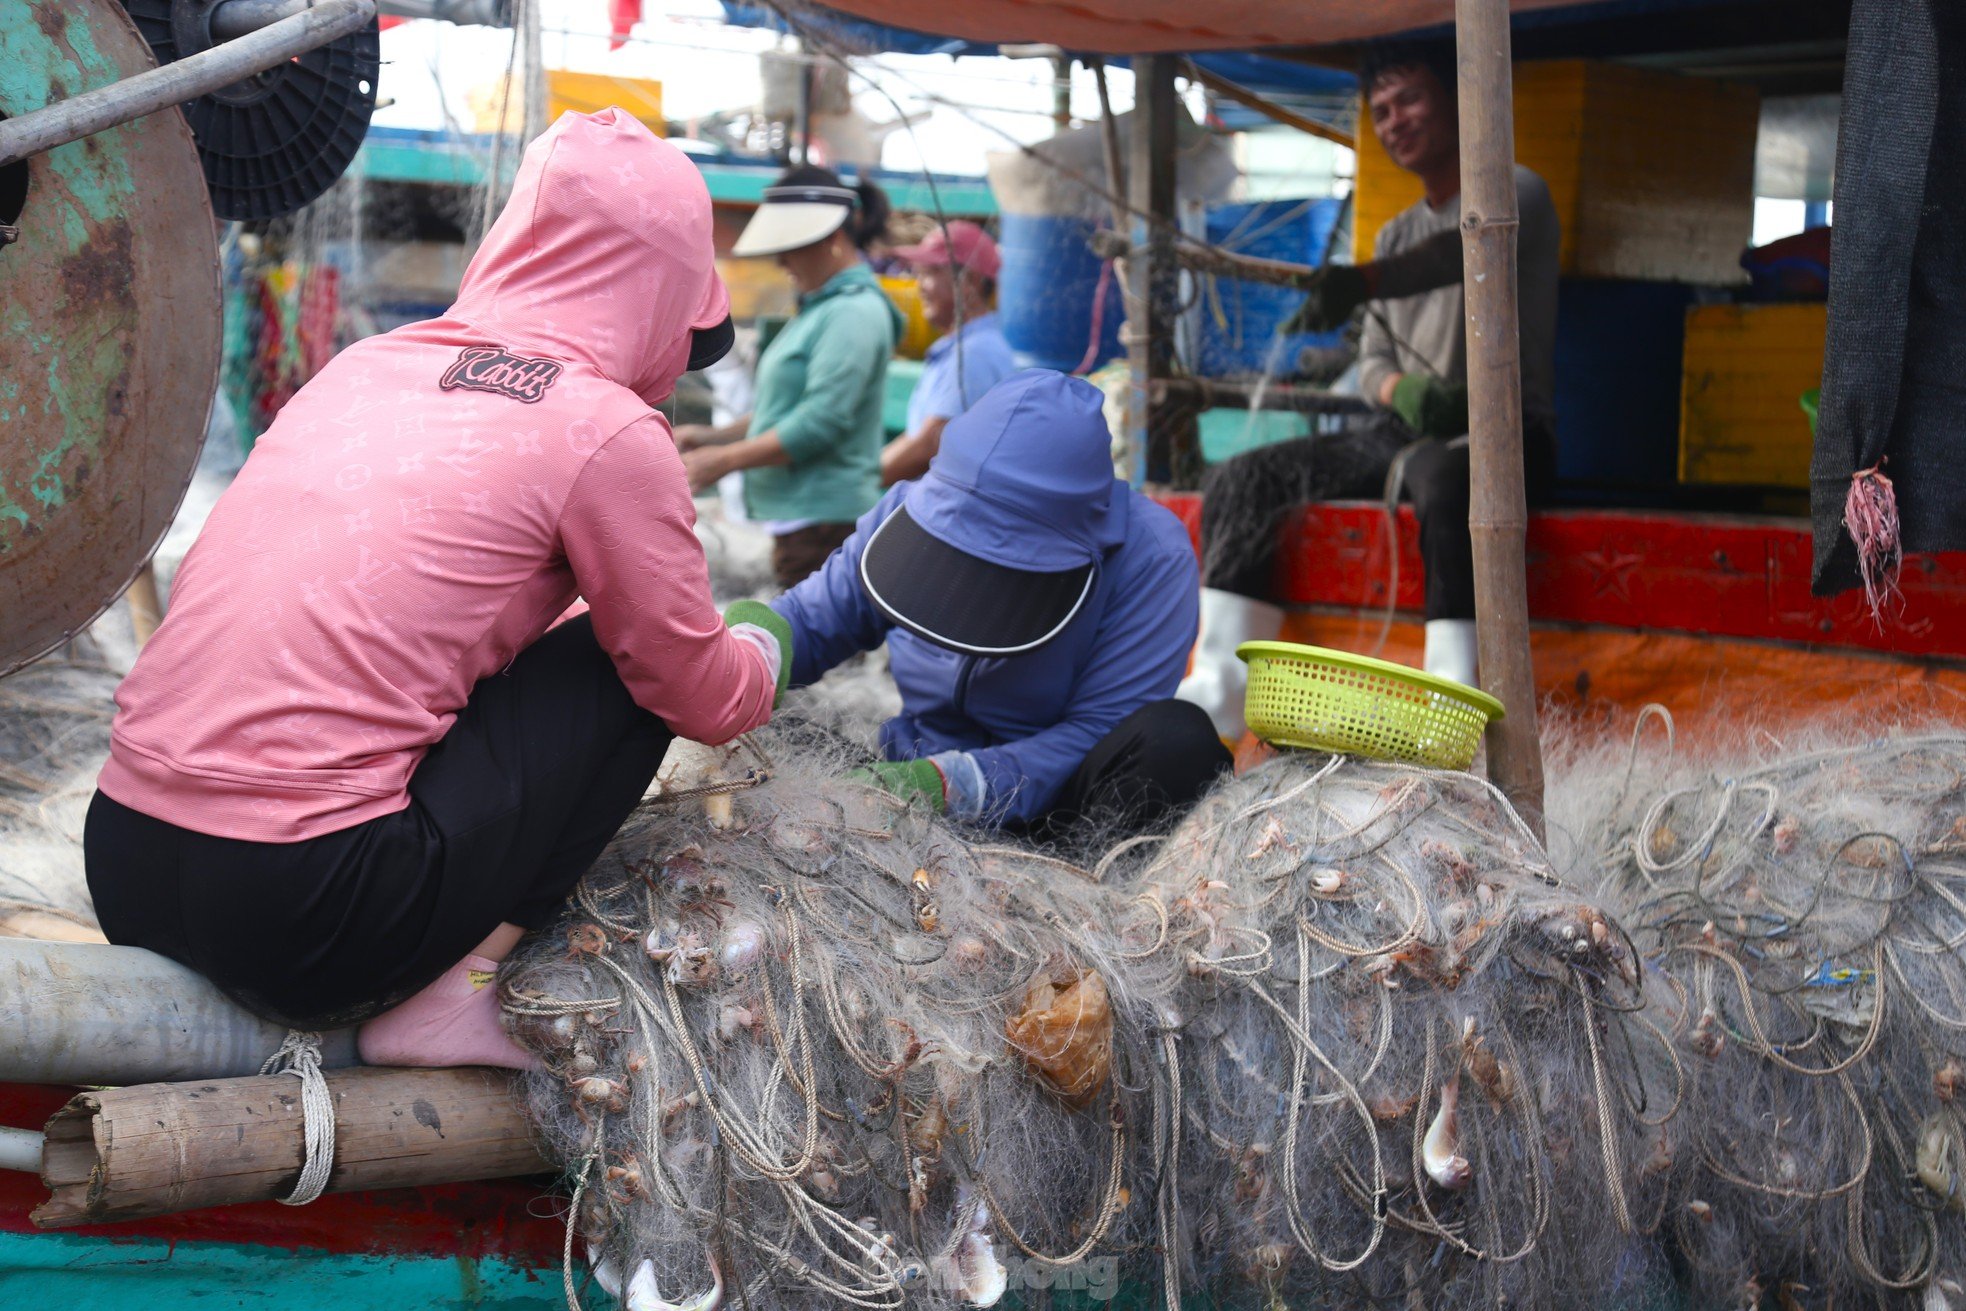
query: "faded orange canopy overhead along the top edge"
1147, 27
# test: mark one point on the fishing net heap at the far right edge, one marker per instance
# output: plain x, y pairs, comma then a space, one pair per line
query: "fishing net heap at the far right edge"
1808, 907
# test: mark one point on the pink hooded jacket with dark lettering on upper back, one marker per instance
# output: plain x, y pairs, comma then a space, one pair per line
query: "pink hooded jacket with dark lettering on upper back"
430, 506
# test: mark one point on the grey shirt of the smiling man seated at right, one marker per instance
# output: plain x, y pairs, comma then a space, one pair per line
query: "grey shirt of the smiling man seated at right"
1430, 331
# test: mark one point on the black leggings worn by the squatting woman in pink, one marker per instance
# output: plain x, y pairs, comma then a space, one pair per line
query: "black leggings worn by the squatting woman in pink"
506, 813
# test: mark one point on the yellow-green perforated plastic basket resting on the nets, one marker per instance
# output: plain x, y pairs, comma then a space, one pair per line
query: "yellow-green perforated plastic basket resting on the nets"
1334, 701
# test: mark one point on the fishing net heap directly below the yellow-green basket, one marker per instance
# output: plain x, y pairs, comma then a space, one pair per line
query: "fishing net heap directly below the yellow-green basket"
1418, 1070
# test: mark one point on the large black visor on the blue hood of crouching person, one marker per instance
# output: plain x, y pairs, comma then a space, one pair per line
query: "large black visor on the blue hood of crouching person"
964, 602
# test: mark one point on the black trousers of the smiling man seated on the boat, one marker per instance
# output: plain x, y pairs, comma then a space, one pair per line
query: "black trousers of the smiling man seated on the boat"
1245, 502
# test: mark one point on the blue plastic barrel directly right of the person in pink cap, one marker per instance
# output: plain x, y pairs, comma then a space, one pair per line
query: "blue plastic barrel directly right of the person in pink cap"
1047, 292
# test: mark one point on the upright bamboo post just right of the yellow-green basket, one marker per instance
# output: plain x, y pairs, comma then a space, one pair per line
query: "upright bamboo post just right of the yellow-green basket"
1499, 516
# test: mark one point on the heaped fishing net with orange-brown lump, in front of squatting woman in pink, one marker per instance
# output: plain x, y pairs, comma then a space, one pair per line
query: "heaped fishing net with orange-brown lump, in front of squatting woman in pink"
781, 1056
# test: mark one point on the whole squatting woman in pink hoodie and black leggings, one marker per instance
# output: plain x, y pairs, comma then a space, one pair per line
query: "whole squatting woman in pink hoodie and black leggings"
359, 760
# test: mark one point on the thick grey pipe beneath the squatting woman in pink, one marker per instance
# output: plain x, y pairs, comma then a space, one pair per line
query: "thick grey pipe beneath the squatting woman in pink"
87, 1013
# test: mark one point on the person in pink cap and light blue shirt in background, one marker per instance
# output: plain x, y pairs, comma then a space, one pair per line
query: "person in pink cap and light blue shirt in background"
958, 278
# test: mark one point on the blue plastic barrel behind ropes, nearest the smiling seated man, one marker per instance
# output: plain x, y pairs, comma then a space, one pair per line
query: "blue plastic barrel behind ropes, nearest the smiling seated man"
1240, 321
